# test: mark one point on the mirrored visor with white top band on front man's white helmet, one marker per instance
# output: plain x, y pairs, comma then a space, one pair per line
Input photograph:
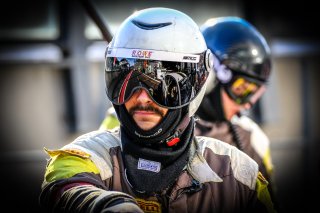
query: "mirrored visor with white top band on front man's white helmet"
172, 80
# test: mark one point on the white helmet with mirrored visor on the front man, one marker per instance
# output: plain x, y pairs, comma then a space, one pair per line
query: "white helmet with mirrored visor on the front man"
162, 51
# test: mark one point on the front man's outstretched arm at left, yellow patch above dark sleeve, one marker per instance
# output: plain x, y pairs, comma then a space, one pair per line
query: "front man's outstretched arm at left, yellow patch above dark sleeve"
72, 184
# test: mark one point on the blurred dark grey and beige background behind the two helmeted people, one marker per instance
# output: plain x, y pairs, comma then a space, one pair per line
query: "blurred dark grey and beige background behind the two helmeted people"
52, 86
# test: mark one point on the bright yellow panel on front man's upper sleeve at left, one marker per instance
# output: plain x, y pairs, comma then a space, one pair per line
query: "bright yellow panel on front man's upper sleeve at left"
65, 165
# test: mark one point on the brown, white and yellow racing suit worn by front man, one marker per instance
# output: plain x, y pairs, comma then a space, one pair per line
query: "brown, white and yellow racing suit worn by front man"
88, 175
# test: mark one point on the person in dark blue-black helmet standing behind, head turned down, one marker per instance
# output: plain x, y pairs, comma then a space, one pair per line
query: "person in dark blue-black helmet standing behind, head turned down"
242, 67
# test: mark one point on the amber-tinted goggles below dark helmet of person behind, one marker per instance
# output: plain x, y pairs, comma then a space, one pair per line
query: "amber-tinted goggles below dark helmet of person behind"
243, 90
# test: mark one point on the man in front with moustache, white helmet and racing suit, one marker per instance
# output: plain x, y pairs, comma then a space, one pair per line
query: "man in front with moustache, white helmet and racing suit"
156, 70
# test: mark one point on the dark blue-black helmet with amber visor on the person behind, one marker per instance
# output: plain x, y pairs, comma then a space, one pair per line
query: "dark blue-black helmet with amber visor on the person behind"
239, 50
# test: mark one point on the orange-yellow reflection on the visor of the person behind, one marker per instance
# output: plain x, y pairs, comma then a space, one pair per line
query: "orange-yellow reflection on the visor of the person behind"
241, 90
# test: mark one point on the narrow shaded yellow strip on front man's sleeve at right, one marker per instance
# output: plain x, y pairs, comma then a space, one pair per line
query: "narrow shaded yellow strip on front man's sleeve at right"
263, 192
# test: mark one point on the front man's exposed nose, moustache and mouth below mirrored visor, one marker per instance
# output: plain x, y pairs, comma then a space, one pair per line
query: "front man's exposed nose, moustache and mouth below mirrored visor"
145, 112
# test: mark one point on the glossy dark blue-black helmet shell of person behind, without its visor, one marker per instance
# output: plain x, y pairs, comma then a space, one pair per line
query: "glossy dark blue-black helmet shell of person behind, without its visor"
238, 46
